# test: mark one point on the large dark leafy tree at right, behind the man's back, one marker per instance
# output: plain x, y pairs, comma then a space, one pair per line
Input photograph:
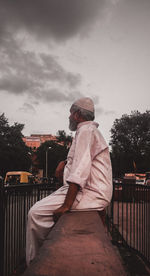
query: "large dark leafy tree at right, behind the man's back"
130, 142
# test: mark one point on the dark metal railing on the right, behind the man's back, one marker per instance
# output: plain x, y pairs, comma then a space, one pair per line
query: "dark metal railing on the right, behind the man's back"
129, 217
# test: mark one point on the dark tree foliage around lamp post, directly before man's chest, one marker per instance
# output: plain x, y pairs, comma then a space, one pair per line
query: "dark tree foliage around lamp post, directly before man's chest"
57, 151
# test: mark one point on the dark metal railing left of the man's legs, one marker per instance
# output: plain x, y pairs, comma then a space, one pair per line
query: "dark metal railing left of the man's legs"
15, 202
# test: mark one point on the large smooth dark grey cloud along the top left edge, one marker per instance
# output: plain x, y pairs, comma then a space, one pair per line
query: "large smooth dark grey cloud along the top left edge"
58, 19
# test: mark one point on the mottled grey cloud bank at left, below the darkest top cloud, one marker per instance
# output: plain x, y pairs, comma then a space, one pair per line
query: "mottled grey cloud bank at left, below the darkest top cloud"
26, 72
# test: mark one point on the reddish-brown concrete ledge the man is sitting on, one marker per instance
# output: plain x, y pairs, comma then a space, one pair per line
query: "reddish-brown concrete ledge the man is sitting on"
78, 245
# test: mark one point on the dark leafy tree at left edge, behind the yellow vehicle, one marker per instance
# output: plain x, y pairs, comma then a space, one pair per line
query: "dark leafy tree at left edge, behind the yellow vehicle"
13, 151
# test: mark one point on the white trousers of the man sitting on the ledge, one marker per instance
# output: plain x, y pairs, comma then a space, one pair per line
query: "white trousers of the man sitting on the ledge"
40, 216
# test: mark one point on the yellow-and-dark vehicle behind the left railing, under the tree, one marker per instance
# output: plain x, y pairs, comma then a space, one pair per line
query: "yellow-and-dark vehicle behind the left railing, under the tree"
17, 177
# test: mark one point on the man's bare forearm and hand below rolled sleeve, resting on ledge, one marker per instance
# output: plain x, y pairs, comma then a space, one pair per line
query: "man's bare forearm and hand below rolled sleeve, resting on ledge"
69, 200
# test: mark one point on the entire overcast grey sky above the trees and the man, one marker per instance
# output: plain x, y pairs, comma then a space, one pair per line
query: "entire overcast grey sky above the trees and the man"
55, 51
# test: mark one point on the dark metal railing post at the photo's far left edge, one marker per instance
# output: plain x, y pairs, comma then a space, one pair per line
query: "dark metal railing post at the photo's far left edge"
2, 227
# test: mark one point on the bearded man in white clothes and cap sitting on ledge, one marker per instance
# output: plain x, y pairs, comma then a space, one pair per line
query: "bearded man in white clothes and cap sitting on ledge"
87, 178
